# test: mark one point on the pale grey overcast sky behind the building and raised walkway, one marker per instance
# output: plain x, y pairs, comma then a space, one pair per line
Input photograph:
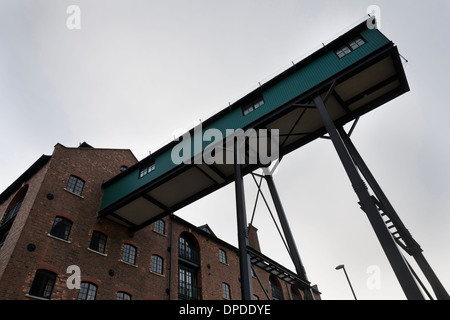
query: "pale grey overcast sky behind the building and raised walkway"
137, 71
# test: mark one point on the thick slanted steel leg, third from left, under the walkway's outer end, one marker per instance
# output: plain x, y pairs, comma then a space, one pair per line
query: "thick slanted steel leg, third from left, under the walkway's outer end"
388, 244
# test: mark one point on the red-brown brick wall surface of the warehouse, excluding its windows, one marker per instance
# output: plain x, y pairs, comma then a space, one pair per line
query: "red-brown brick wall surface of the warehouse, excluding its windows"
37, 215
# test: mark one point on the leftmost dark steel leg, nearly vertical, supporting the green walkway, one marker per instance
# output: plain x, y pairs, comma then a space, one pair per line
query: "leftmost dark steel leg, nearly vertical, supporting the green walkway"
244, 258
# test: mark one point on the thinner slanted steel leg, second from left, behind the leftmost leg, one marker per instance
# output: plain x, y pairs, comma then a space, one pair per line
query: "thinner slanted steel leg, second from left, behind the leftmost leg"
287, 233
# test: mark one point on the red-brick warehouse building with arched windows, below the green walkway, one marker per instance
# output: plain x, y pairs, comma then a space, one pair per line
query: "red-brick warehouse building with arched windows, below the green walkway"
50, 233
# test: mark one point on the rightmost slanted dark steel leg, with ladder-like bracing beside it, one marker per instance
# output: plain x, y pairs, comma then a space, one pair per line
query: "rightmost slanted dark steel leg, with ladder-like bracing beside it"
414, 247
